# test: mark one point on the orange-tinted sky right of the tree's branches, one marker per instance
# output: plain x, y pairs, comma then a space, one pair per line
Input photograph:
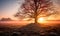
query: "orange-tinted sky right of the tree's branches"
57, 8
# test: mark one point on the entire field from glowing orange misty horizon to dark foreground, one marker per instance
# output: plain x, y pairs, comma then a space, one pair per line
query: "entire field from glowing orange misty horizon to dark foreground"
26, 28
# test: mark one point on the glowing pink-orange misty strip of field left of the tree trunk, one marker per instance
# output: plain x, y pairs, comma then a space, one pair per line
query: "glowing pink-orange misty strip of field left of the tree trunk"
13, 24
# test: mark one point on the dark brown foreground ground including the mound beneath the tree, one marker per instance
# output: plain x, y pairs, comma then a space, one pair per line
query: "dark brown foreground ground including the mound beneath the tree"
31, 29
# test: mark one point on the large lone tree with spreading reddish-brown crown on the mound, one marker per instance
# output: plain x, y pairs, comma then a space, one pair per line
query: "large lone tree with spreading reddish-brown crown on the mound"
35, 8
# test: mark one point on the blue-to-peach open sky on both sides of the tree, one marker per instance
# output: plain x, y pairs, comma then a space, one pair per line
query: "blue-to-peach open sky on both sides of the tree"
10, 7
